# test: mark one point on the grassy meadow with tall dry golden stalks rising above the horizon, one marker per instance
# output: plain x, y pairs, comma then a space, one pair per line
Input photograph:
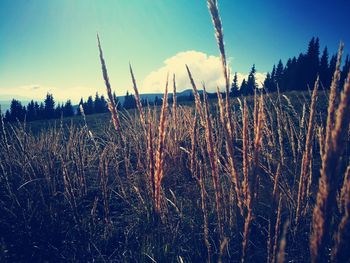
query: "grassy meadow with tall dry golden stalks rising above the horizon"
263, 178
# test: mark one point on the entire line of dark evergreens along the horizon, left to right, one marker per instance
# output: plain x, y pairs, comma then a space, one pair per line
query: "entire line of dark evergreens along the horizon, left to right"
299, 73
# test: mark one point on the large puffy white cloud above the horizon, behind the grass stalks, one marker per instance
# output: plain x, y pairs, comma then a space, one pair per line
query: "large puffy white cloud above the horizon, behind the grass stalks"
204, 68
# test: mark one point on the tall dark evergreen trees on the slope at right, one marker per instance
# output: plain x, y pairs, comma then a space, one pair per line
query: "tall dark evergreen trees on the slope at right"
299, 73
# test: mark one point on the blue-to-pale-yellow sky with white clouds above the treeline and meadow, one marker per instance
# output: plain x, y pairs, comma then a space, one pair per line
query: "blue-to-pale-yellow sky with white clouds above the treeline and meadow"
50, 46
